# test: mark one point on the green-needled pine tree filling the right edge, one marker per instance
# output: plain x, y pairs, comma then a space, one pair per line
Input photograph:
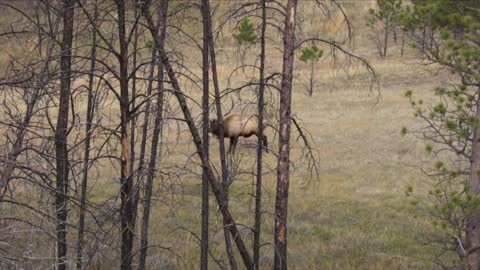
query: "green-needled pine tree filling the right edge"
446, 33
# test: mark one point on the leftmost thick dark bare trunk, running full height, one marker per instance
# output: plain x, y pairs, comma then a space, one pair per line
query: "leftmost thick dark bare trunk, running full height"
61, 151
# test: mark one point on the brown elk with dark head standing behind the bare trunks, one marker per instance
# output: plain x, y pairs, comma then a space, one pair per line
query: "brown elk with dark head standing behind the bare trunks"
236, 125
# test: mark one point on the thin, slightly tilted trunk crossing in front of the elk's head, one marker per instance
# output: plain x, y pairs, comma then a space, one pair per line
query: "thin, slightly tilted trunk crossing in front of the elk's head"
218, 105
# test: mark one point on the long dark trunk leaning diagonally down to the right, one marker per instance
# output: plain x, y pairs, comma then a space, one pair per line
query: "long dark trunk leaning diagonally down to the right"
217, 191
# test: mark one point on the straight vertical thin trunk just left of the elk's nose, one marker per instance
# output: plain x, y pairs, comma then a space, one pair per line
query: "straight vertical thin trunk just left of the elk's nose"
205, 108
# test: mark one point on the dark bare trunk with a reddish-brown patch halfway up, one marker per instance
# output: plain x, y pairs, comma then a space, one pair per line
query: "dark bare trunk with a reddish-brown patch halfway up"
127, 214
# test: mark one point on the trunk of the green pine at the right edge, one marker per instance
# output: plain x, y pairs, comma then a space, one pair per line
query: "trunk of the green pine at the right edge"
473, 220
